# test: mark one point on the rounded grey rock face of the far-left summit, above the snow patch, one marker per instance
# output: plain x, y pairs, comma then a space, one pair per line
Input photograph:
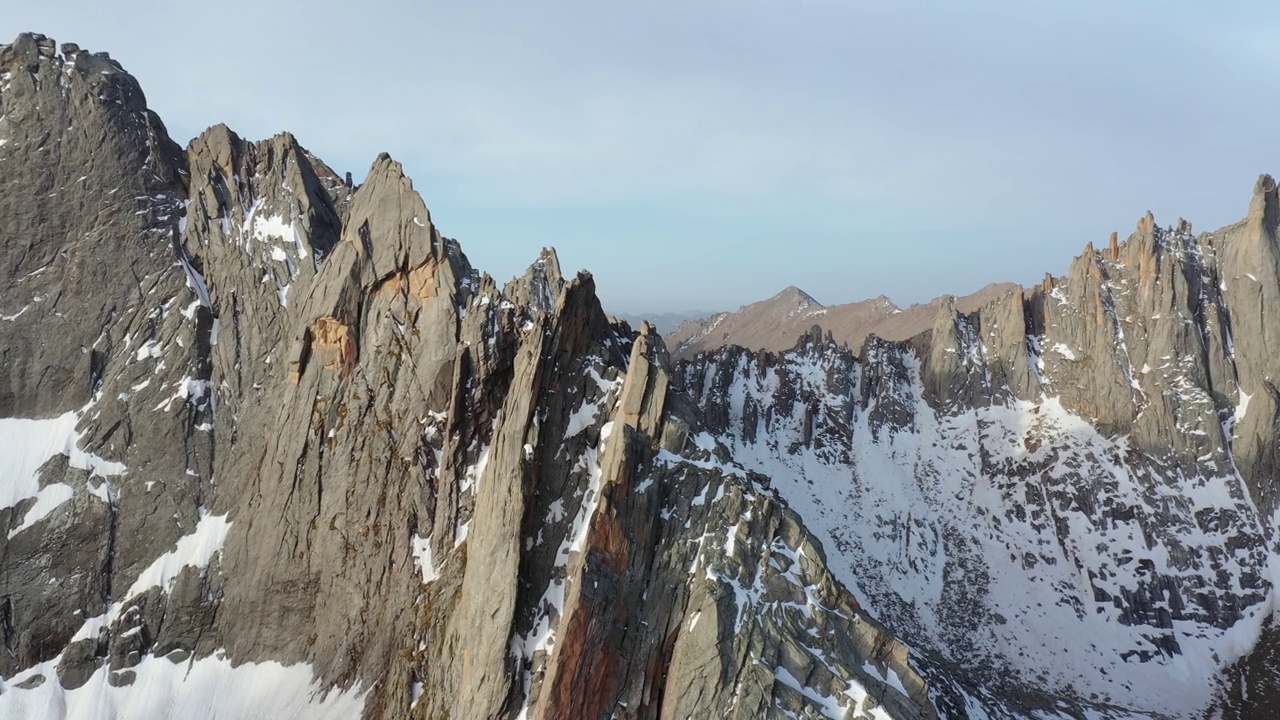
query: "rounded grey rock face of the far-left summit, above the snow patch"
89, 171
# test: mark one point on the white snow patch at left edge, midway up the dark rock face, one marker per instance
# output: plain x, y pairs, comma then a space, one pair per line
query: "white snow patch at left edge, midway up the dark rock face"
28, 445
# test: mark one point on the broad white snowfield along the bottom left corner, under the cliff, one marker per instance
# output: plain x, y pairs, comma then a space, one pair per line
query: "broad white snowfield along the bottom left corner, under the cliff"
209, 689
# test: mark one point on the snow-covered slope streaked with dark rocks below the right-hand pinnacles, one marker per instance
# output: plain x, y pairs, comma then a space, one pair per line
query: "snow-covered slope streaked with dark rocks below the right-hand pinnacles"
1034, 554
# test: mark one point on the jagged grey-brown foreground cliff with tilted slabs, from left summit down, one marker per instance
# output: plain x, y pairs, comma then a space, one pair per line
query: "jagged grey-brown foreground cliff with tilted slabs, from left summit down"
271, 448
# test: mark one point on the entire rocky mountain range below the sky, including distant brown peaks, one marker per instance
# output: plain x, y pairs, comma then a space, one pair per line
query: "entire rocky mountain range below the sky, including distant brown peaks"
272, 448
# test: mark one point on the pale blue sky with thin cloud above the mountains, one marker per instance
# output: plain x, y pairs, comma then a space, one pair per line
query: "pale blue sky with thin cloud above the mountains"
705, 154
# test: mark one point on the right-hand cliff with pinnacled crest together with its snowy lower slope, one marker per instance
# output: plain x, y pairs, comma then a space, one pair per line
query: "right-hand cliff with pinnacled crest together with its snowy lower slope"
1066, 495
